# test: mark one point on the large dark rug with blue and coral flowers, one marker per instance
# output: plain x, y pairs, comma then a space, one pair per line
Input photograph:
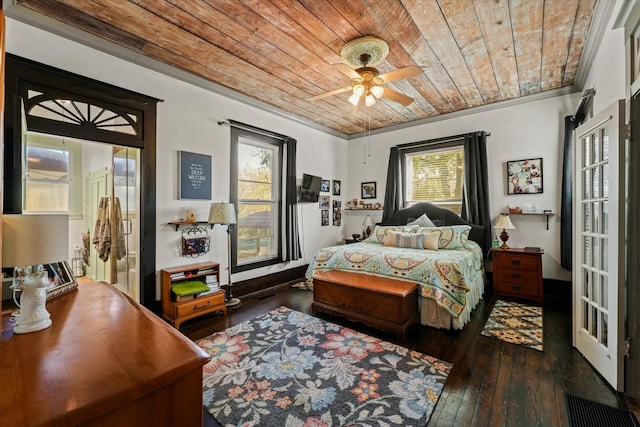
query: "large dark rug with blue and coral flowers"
286, 368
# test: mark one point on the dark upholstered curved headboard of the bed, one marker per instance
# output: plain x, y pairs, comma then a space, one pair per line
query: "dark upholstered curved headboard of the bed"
439, 216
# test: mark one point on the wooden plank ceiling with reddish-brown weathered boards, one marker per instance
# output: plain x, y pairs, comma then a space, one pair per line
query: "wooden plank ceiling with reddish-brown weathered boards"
282, 52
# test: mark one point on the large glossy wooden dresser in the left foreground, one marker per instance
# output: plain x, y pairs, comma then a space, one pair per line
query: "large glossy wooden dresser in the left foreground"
105, 361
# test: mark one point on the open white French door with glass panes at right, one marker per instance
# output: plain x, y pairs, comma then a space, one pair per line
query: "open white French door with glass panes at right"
598, 252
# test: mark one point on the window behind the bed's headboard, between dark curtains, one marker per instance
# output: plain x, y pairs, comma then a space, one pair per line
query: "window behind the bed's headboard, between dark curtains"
436, 175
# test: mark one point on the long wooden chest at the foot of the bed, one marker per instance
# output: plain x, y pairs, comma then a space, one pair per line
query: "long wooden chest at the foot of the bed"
381, 303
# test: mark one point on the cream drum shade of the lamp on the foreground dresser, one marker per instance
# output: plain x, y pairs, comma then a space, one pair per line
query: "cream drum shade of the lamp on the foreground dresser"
34, 239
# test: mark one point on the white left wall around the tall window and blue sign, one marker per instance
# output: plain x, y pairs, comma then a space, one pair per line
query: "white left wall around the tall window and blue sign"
187, 120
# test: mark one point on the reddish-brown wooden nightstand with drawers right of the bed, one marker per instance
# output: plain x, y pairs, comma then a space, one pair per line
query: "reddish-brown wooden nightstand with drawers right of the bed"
518, 273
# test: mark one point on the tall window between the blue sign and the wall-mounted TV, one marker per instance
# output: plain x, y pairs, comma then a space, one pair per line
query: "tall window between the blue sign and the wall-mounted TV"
256, 187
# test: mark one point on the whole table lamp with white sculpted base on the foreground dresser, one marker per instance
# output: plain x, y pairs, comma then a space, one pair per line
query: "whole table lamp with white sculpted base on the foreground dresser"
28, 242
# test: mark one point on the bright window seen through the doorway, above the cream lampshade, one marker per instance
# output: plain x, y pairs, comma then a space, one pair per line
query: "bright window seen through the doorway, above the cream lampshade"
51, 164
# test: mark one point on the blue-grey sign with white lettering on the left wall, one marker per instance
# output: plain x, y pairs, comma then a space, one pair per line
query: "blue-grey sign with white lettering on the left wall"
194, 172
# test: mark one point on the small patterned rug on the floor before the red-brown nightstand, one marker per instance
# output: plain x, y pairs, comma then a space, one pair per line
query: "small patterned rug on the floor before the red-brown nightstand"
516, 324
